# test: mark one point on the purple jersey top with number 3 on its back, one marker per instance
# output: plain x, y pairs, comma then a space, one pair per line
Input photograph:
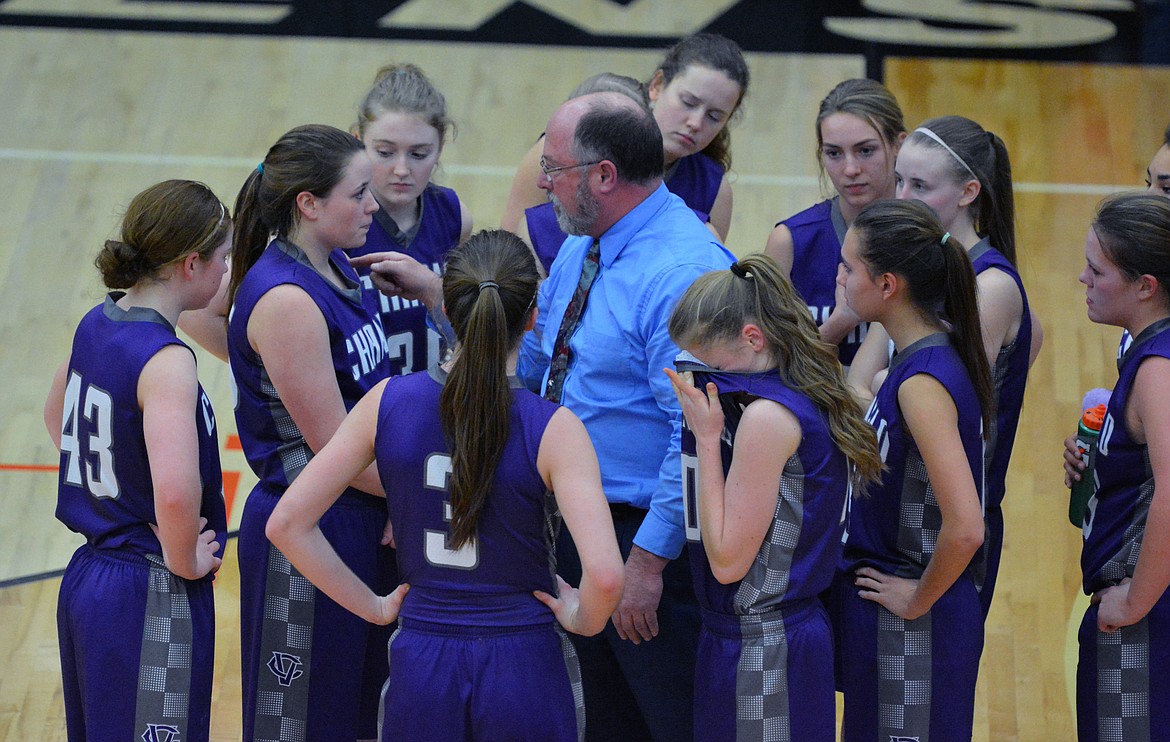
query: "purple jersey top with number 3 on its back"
488, 582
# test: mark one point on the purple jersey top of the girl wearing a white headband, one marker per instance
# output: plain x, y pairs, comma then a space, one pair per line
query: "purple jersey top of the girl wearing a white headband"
1009, 375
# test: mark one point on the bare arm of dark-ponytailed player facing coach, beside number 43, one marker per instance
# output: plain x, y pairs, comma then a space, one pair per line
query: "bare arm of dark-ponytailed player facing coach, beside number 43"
290, 333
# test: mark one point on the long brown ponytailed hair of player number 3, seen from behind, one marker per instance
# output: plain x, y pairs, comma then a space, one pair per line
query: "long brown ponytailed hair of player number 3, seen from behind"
490, 288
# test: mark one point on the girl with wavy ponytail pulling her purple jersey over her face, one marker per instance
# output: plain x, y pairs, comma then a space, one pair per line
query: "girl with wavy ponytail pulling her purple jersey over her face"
776, 445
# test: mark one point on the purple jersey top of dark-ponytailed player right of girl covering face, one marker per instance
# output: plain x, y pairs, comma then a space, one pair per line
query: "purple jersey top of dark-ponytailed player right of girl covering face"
896, 527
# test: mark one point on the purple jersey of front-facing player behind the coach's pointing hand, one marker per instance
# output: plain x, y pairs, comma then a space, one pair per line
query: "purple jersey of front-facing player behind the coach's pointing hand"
412, 346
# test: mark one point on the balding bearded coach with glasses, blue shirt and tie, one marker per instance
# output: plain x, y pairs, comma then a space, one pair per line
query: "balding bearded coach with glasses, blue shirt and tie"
600, 348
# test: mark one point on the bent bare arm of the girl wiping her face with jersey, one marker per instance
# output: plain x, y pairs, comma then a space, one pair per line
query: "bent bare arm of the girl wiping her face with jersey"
737, 513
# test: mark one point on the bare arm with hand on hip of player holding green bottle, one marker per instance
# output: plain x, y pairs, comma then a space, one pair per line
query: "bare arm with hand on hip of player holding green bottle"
1131, 602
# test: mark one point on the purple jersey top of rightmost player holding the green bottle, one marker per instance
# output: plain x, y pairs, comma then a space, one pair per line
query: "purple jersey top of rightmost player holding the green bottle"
1117, 513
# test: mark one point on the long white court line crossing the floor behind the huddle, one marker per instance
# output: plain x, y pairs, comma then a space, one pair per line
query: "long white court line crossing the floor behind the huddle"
484, 171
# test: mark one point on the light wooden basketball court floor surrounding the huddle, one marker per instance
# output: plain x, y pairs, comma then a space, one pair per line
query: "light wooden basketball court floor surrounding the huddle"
91, 119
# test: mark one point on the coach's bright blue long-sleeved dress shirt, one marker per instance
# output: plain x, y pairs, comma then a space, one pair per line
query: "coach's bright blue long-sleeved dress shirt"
616, 383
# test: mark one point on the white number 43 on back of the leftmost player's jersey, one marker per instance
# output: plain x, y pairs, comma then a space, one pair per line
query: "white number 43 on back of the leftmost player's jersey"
98, 408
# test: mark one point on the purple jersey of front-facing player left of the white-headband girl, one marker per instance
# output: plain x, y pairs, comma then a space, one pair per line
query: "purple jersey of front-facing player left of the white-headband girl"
817, 236
